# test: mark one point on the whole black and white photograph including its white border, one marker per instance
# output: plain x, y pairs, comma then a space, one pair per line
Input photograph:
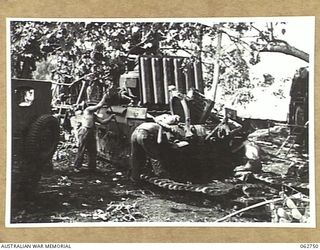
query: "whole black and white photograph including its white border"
203, 122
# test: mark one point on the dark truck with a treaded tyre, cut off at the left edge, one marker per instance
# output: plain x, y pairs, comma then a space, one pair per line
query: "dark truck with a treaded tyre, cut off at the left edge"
34, 134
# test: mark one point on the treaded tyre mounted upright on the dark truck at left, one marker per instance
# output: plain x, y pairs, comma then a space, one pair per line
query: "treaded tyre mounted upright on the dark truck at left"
42, 139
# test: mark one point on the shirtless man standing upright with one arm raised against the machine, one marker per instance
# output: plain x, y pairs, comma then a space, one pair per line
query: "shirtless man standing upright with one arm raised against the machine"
86, 134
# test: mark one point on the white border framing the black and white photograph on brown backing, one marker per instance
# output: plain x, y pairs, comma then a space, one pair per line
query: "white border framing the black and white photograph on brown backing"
310, 20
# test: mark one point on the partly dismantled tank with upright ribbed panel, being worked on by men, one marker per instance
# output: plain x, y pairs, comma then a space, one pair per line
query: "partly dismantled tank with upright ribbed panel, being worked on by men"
203, 148
